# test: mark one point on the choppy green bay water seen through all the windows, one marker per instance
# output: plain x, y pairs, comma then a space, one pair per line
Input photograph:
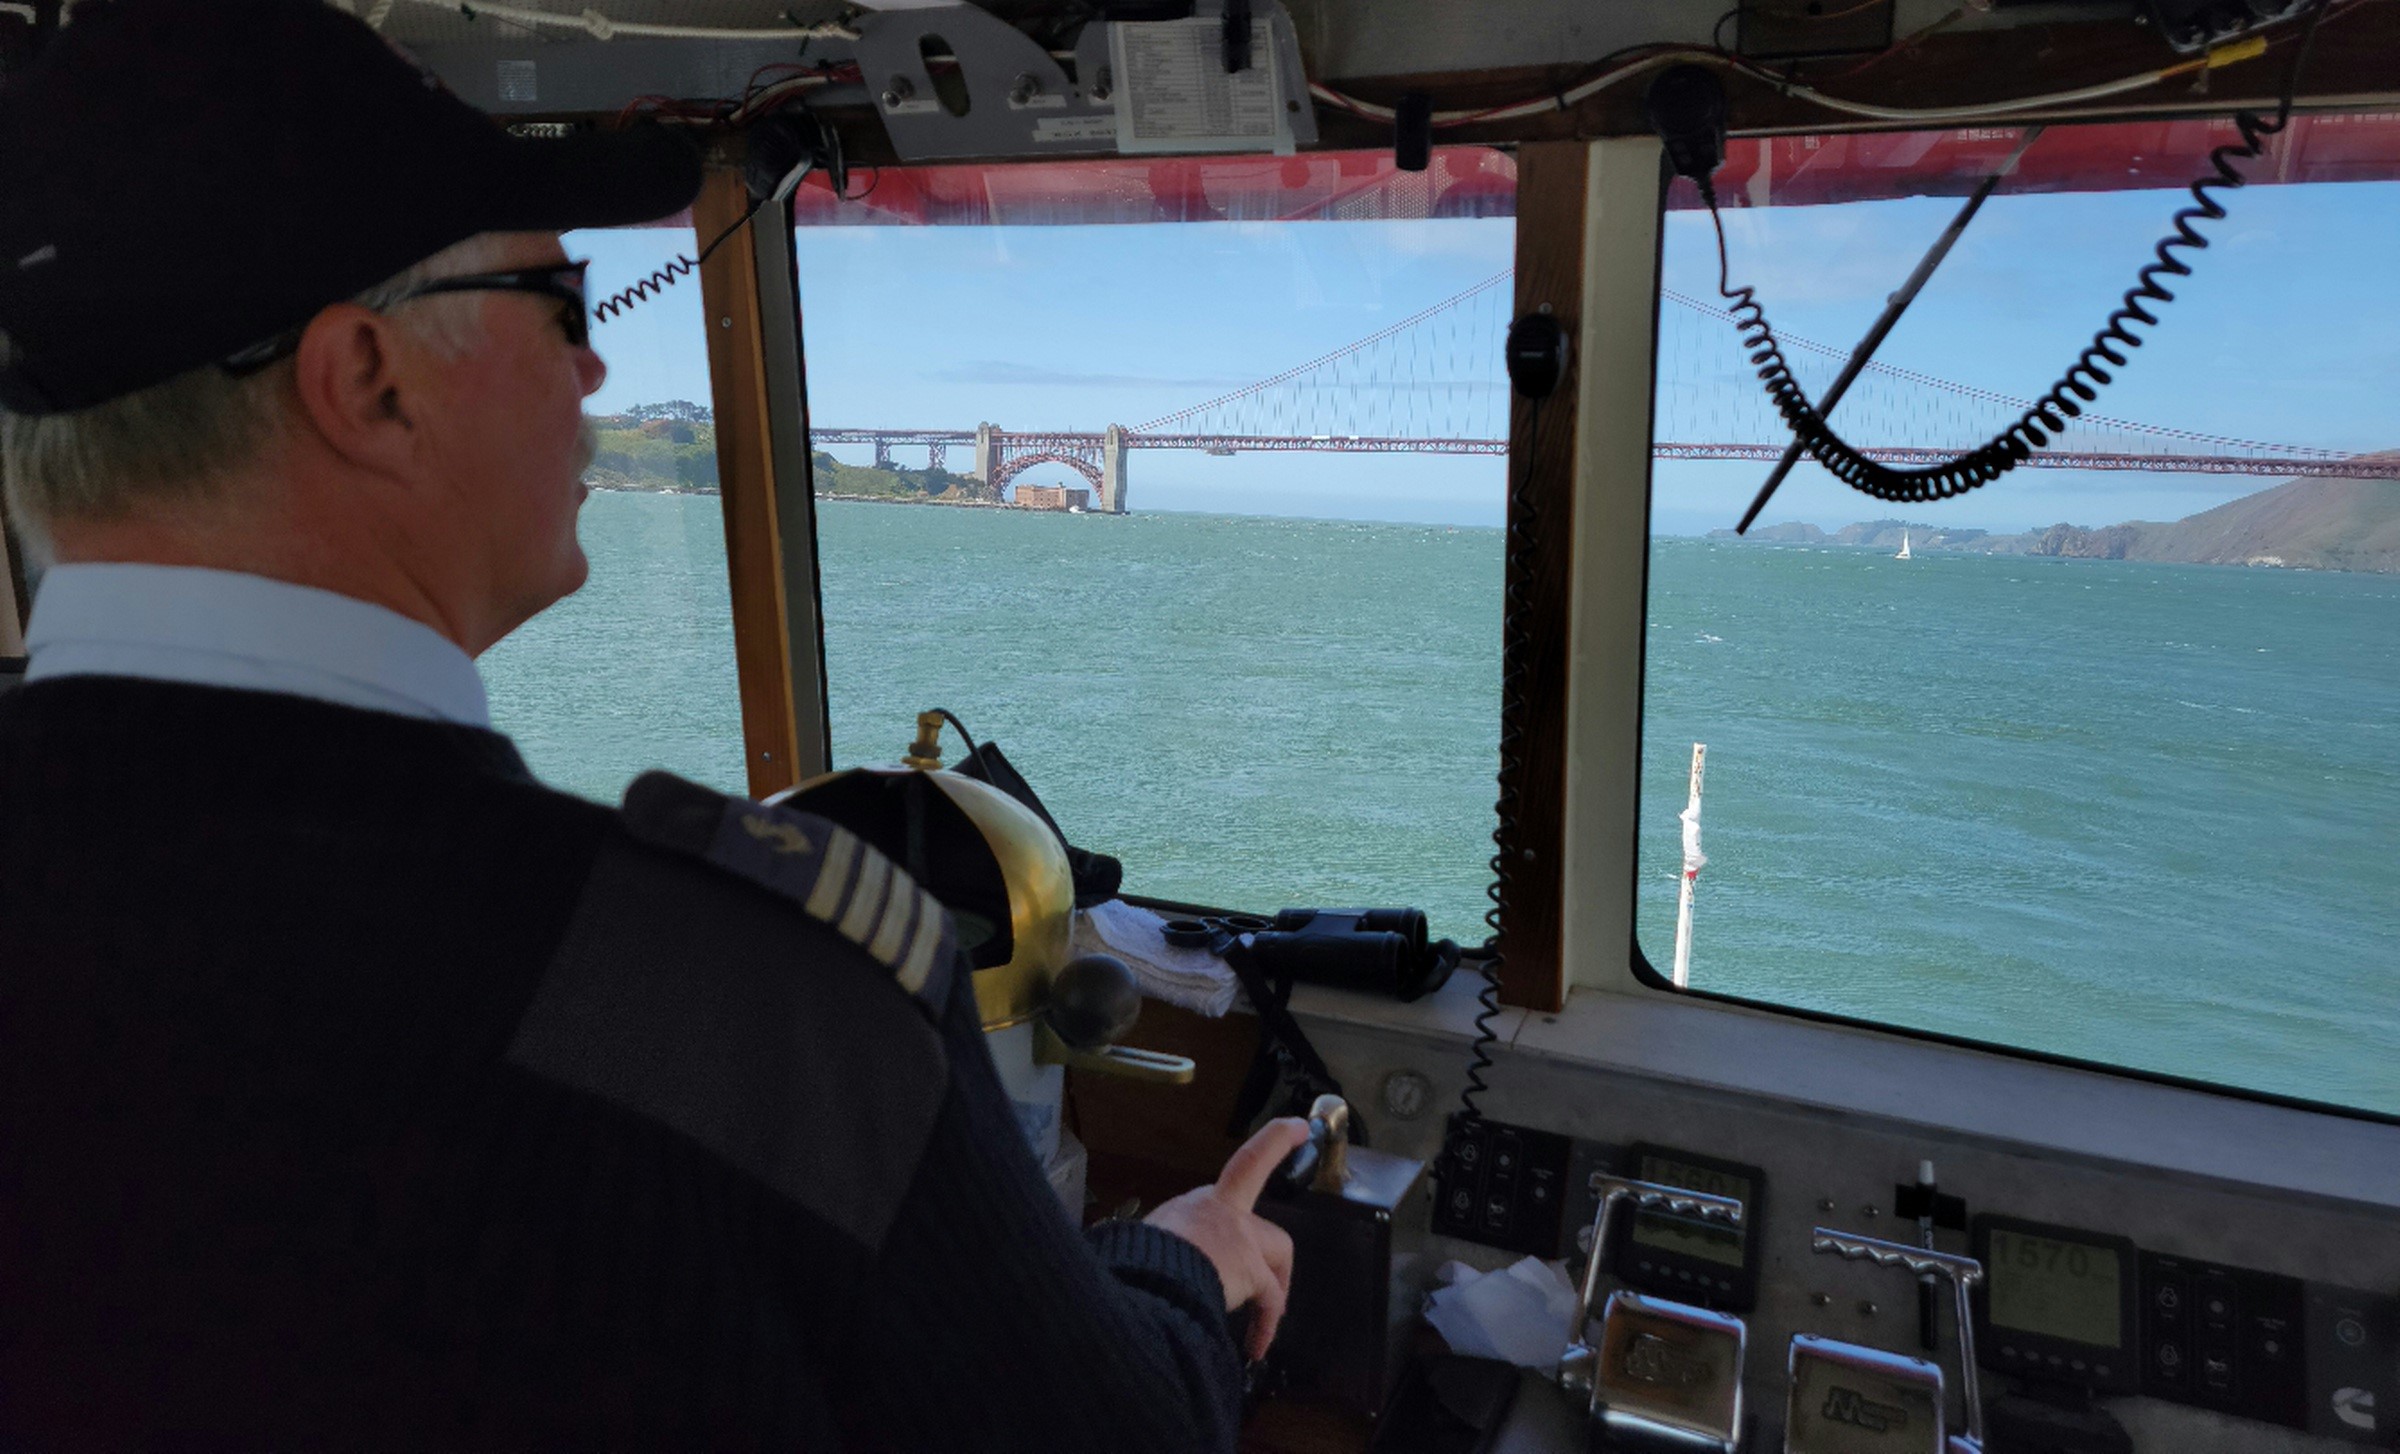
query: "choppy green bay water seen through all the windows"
2123, 812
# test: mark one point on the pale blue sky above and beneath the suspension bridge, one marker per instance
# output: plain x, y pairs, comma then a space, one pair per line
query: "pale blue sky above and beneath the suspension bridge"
2286, 335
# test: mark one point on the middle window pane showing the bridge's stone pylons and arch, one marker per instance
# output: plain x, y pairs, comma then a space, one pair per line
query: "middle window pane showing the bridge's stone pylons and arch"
1273, 680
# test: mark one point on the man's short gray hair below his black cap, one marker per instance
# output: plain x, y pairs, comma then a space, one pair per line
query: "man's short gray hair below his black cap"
184, 440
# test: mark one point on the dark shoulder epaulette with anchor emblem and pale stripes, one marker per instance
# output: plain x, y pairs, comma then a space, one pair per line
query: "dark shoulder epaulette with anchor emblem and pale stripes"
812, 863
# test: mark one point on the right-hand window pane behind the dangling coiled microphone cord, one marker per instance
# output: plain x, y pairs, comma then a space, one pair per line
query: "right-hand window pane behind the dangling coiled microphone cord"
2099, 762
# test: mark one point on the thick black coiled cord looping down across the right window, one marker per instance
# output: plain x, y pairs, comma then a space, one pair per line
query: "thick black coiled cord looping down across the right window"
2065, 399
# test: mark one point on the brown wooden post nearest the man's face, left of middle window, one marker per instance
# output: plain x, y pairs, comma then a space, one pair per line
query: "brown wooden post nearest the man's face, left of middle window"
748, 481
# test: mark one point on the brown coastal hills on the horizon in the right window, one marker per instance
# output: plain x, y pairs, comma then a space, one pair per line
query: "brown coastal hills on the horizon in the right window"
2300, 524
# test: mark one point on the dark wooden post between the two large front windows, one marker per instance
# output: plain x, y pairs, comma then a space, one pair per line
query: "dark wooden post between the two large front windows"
1552, 179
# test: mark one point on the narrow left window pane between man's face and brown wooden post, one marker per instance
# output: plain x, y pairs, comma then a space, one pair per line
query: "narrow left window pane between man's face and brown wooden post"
637, 671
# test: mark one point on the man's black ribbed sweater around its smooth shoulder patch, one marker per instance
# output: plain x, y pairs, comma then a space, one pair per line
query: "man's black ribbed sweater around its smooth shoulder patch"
272, 1179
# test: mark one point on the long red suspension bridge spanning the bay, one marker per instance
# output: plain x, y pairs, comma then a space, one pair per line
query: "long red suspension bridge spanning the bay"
1432, 385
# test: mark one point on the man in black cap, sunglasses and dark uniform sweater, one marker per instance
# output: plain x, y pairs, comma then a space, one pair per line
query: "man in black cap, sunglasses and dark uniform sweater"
356, 1090
